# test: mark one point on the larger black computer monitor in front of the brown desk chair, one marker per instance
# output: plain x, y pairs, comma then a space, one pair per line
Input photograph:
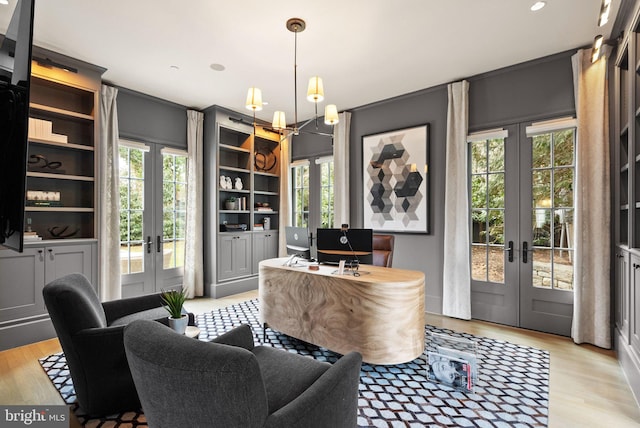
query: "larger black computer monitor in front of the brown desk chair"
355, 246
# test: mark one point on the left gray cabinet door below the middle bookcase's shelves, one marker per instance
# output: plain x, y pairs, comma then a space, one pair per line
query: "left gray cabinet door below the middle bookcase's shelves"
234, 255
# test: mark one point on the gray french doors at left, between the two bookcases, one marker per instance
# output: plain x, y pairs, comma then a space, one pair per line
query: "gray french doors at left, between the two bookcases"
153, 194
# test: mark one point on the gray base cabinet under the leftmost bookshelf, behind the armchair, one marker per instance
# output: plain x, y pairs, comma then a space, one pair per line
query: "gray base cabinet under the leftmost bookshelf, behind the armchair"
23, 315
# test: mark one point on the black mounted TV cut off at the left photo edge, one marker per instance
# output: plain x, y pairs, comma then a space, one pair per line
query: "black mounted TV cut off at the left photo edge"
15, 72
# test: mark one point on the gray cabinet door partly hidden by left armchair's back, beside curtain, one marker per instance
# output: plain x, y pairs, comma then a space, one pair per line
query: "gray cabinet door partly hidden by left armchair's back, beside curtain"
66, 259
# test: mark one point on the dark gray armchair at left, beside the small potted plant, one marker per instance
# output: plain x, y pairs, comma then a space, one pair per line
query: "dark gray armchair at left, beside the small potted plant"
91, 335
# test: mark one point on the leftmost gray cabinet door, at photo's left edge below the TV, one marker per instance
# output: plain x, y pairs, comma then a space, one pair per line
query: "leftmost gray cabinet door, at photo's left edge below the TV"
21, 283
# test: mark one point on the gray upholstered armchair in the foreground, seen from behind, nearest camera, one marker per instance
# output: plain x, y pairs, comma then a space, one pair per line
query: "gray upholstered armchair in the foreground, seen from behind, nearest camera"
232, 383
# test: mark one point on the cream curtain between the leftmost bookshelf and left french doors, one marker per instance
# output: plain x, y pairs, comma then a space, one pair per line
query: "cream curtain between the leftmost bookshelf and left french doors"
109, 237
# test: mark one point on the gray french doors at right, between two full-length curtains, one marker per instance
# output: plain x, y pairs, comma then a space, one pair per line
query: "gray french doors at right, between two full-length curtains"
521, 210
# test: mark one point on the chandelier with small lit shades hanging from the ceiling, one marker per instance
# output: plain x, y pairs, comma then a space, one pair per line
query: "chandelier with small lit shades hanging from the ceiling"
315, 92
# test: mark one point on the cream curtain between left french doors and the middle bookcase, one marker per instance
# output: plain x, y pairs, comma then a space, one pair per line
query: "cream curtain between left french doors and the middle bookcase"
193, 254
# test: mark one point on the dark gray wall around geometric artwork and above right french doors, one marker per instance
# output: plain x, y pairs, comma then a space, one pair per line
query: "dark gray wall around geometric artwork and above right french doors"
527, 92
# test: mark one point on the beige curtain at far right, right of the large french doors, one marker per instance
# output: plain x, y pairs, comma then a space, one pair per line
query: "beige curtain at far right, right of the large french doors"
592, 291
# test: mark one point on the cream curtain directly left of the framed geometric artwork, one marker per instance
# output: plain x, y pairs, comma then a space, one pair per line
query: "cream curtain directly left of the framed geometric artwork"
341, 194
